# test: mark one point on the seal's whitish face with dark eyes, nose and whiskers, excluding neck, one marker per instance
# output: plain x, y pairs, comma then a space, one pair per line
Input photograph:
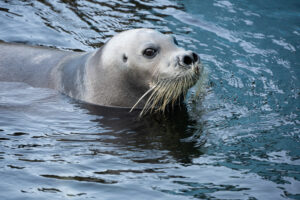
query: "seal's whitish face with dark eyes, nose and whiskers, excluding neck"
155, 61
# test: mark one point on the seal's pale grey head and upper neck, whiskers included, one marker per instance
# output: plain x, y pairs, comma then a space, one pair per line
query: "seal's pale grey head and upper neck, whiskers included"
143, 68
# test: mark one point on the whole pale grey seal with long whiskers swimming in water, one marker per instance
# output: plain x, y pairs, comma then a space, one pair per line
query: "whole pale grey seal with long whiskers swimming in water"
139, 68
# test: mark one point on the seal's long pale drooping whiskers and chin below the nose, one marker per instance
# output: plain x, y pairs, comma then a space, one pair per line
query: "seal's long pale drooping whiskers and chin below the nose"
168, 90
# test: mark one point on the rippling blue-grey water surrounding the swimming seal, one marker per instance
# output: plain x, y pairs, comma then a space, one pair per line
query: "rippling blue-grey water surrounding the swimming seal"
241, 141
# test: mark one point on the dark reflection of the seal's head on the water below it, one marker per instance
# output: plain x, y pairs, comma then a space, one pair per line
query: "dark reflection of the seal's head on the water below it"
160, 132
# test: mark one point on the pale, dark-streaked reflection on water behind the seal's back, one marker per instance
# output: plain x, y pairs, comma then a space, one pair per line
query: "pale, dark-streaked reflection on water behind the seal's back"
89, 23
